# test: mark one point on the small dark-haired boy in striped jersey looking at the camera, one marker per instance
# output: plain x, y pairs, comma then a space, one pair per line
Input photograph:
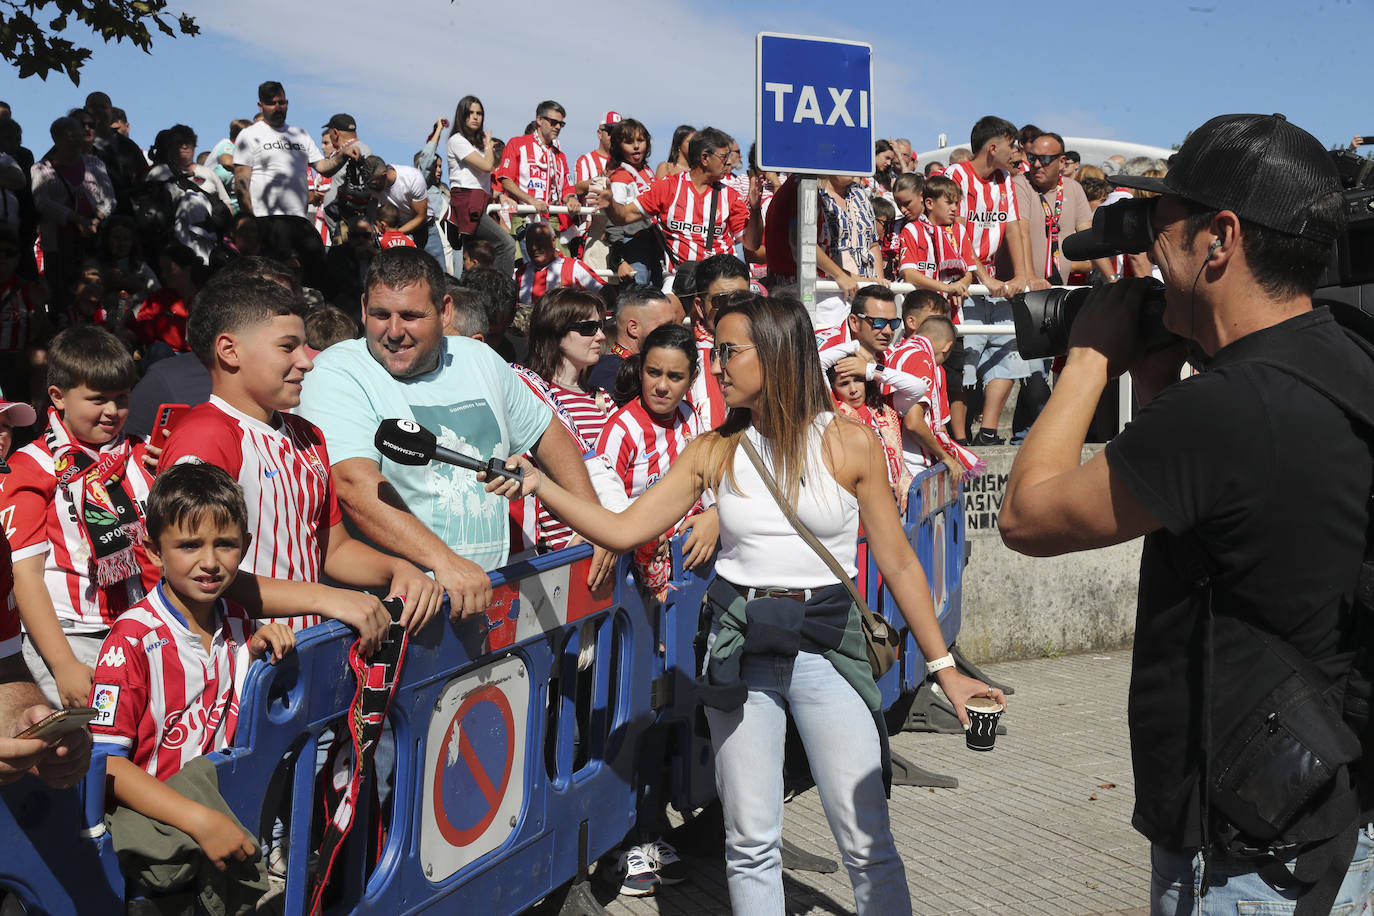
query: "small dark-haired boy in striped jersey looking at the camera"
168, 680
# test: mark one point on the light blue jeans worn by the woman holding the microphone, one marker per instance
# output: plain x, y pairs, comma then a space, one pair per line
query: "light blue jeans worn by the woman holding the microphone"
843, 748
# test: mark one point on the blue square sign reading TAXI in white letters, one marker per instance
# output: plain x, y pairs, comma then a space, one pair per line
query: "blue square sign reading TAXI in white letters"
814, 104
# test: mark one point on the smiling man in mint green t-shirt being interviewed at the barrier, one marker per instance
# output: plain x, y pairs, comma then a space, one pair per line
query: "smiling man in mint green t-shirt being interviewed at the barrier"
435, 516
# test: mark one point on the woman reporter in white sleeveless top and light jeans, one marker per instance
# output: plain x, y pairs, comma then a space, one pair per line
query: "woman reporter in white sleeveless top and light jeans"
832, 472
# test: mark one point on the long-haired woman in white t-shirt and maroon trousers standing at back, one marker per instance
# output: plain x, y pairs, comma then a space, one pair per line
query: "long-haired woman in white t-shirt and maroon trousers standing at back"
472, 157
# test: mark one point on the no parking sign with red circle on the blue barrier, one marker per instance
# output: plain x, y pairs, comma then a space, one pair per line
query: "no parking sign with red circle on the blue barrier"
475, 767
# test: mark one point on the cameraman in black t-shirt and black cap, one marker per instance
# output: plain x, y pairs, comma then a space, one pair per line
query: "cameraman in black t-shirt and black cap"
1252, 492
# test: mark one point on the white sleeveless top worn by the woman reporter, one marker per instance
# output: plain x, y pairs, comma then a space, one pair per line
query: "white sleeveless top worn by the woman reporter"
758, 545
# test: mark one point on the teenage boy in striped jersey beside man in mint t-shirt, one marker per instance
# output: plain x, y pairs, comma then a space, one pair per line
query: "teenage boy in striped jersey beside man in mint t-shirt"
251, 334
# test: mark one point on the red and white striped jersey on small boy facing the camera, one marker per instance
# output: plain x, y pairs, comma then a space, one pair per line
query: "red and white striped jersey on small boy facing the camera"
163, 700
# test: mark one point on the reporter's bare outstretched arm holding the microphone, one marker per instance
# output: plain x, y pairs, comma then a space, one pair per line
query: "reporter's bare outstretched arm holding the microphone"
656, 512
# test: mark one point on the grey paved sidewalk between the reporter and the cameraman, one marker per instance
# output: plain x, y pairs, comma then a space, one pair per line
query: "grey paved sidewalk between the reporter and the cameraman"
1039, 826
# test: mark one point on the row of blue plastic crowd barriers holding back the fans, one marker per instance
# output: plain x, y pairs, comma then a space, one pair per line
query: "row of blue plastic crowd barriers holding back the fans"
517, 740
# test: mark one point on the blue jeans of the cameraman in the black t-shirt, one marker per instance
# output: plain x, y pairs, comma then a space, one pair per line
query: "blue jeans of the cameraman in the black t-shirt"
1236, 891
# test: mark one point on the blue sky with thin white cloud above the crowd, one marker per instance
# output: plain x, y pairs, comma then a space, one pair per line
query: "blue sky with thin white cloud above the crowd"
1144, 72
